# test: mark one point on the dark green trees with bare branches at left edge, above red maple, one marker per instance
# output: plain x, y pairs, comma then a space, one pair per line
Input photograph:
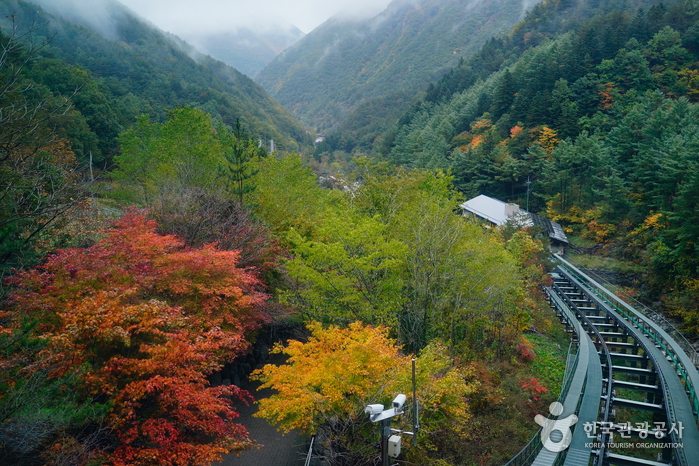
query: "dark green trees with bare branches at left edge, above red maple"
39, 179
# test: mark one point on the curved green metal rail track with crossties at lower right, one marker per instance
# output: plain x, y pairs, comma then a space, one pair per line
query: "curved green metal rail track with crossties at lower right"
631, 378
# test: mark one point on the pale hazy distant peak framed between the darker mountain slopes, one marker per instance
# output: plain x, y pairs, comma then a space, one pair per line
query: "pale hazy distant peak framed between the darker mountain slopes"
246, 50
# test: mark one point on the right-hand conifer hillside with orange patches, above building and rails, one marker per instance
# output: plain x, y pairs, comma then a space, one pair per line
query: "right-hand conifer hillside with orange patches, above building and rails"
600, 119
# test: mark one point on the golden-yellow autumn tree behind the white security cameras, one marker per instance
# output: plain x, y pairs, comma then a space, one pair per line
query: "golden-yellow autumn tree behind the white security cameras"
327, 382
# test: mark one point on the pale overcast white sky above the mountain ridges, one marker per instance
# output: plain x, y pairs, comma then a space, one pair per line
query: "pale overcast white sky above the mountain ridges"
191, 16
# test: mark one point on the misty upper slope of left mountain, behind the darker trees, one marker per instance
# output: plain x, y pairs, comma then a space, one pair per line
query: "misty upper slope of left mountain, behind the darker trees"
138, 69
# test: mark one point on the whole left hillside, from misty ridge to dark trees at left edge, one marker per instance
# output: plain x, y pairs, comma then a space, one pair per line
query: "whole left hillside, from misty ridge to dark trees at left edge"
78, 89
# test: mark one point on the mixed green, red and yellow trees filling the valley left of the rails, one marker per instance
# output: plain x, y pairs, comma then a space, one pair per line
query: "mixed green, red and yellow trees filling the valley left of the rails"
110, 347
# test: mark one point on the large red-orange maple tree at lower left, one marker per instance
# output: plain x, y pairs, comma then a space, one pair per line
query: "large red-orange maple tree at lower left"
141, 321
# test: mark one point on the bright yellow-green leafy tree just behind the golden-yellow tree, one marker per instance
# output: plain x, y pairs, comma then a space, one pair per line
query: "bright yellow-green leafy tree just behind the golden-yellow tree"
351, 270
